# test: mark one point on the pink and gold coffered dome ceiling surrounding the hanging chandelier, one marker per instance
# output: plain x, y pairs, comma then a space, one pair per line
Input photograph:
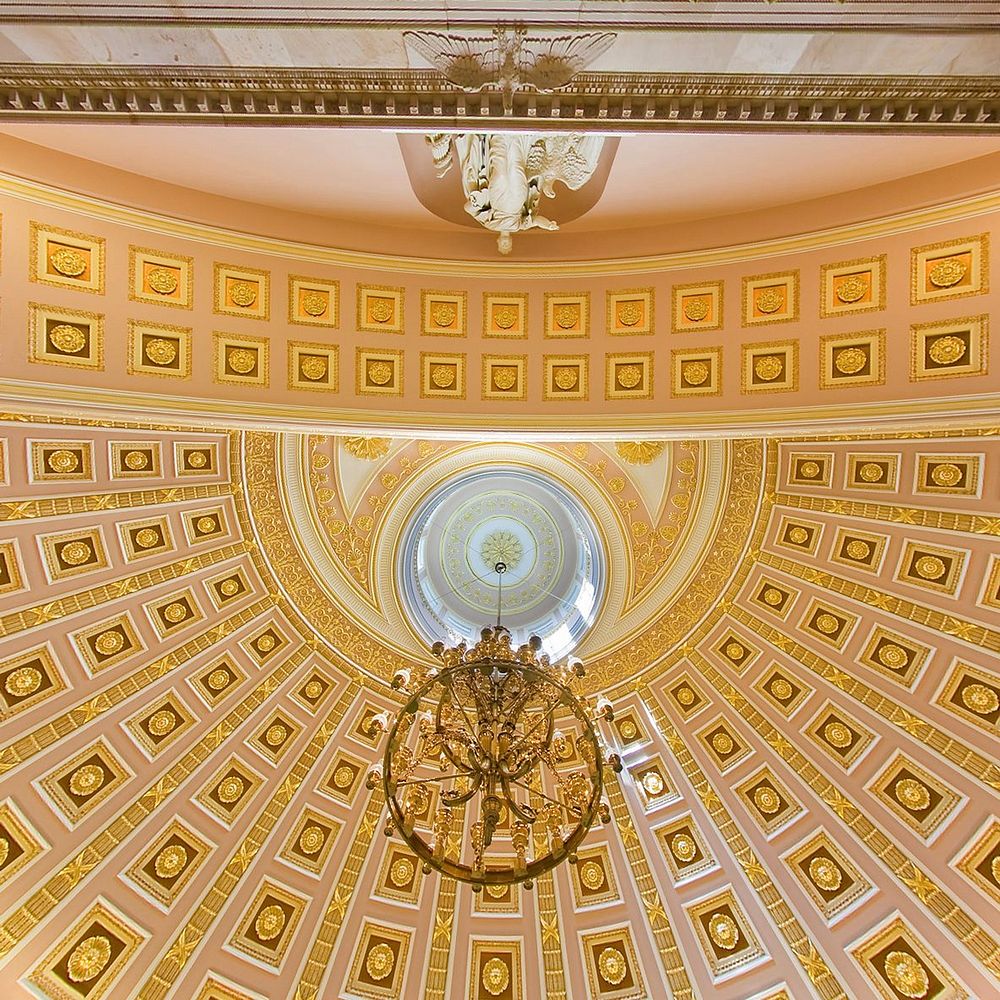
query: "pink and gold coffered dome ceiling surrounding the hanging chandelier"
806, 705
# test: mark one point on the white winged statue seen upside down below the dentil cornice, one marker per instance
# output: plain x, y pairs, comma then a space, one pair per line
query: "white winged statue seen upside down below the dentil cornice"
504, 174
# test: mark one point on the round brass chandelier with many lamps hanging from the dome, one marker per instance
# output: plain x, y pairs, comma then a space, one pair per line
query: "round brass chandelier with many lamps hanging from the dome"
478, 739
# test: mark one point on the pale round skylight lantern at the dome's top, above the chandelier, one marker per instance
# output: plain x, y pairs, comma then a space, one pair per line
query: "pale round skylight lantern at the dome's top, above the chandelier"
555, 565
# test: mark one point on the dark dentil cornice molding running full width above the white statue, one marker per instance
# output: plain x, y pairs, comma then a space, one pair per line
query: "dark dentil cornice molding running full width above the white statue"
610, 102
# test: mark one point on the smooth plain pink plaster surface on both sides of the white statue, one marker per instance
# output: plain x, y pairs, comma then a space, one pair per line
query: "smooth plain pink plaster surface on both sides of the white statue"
359, 176
